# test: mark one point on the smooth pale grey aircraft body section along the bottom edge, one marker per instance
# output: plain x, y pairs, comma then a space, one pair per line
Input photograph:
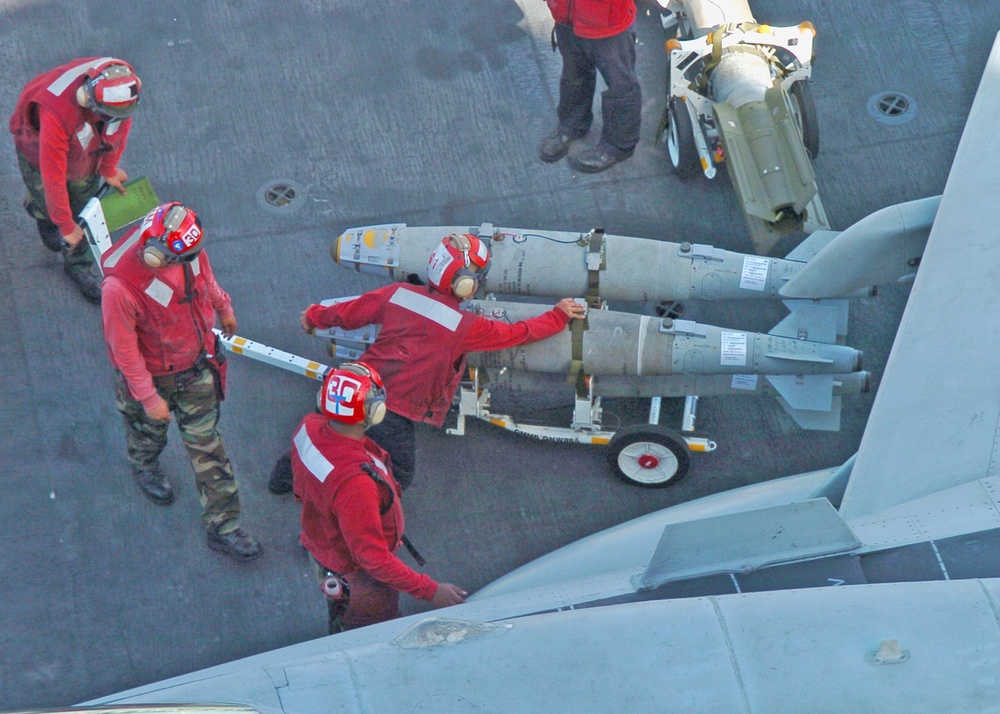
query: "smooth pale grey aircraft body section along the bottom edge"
935, 644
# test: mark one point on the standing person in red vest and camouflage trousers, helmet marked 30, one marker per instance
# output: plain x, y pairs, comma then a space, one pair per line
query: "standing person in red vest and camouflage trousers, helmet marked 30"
160, 304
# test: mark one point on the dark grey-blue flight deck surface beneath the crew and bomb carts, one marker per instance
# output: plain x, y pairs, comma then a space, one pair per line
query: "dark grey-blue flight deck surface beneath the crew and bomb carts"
373, 113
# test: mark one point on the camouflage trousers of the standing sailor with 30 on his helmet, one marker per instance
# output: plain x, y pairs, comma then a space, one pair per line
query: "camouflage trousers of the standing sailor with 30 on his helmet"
192, 399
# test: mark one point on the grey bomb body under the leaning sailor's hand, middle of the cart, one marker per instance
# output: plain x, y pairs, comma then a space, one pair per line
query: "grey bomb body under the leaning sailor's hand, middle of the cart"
619, 343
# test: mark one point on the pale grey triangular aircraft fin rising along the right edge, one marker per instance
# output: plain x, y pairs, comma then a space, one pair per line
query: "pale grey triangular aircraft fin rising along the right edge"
935, 422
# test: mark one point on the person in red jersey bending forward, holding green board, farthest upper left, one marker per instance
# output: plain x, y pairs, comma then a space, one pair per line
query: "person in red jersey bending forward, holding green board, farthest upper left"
70, 127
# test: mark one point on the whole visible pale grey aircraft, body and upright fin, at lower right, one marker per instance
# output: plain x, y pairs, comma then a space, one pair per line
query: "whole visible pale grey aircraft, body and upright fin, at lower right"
872, 586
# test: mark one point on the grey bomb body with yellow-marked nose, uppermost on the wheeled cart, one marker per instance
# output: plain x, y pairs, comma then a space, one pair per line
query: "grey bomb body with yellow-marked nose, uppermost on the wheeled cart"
555, 263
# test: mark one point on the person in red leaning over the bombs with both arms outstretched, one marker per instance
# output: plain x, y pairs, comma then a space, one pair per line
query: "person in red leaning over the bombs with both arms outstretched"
421, 347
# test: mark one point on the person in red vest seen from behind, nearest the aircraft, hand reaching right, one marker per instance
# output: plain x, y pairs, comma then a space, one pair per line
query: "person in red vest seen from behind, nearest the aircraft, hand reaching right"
352, 518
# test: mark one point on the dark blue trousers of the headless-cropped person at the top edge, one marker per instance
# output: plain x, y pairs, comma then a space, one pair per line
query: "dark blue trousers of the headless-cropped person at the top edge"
621, 102
